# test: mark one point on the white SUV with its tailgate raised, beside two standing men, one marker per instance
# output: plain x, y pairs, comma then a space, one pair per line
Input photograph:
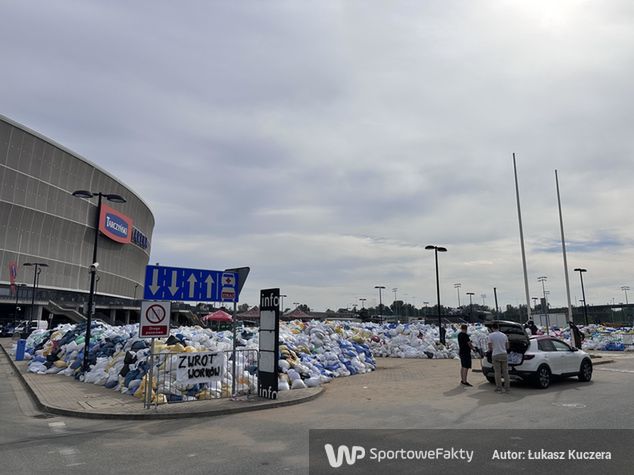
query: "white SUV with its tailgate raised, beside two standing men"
539, 359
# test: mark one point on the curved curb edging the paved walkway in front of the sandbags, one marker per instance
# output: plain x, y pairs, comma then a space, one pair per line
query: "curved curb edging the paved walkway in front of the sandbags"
151, 415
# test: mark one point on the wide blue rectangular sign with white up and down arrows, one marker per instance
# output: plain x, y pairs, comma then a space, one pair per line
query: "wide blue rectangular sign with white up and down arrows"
175, 283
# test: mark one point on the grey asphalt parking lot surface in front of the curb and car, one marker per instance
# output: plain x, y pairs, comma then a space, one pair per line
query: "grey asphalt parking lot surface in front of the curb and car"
400, 394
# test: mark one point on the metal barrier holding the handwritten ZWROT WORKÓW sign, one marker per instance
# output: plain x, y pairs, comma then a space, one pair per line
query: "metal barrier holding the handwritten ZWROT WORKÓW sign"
172, 381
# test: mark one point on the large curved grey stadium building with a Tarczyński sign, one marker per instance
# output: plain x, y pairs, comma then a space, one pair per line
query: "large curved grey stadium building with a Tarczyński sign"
41, 222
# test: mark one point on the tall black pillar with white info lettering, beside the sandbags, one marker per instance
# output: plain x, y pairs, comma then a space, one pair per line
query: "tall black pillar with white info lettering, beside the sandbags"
269, 342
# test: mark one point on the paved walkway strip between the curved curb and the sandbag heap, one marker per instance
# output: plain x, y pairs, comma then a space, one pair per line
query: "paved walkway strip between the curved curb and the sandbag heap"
63, 395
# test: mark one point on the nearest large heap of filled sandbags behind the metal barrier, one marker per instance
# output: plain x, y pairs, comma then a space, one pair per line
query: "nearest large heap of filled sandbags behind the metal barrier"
310, 354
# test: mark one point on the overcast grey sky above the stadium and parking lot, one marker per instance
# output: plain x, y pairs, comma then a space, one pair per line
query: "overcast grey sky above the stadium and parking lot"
324, 144
